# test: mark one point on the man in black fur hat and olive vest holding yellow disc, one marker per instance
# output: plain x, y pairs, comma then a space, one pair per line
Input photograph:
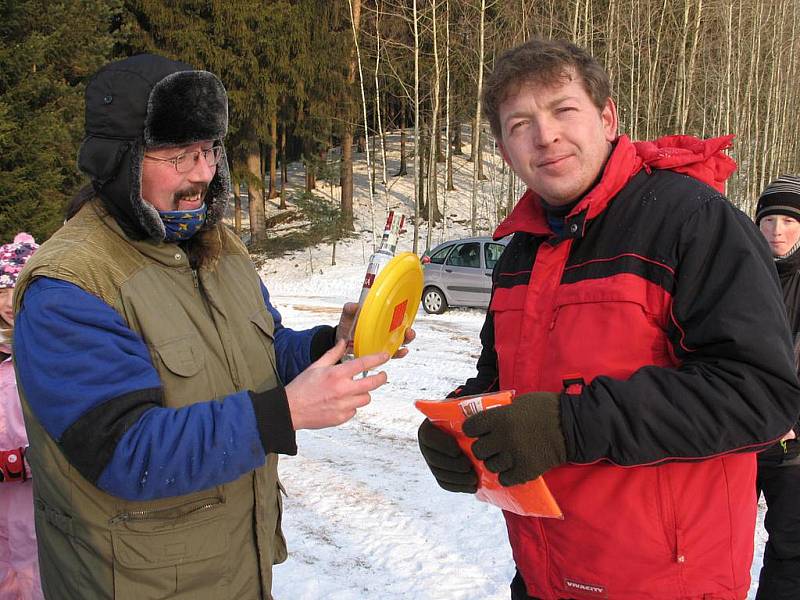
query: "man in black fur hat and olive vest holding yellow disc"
158, 382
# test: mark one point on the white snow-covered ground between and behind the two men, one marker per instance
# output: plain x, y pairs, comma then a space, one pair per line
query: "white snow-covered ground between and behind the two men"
364, 518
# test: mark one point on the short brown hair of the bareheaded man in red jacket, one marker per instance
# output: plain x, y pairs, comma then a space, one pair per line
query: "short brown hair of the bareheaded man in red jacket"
543, 62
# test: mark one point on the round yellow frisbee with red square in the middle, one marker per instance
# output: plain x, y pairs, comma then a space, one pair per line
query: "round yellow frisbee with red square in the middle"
390, 306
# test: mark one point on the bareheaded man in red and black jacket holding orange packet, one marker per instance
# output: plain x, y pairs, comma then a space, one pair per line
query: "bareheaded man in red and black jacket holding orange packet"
637, 316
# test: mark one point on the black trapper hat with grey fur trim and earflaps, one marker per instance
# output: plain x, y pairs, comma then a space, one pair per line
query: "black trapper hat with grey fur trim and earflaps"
142, 102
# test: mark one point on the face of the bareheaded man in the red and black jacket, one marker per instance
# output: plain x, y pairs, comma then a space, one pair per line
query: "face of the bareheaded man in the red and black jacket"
555, 139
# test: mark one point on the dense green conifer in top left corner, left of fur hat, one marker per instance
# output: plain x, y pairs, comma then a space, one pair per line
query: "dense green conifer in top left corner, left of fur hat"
49, 51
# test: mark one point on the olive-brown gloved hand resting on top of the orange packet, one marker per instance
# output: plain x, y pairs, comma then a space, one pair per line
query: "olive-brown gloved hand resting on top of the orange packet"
522, 440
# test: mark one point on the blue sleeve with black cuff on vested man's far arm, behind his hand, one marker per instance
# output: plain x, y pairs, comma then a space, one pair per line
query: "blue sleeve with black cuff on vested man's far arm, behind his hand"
296, 350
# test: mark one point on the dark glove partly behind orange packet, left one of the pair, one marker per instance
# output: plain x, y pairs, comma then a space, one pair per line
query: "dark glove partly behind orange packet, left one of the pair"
450, 466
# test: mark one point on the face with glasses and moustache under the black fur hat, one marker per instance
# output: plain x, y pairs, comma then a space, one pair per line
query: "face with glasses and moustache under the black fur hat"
165, 188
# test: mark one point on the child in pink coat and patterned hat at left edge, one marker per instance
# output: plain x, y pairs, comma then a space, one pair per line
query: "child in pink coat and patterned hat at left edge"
19, 565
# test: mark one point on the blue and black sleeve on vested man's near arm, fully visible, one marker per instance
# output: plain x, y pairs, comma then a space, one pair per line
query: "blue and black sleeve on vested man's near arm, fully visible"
91, 384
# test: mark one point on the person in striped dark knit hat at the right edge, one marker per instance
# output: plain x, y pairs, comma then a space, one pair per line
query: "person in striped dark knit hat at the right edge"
778, 218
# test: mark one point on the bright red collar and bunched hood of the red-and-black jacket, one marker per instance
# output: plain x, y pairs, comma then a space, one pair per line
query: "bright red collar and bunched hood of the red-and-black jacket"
704, 160
